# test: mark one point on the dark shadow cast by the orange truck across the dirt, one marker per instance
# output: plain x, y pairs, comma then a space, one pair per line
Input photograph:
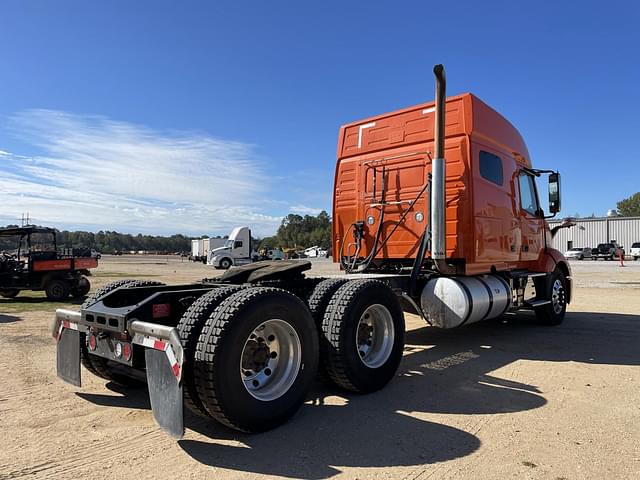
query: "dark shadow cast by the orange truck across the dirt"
443, 372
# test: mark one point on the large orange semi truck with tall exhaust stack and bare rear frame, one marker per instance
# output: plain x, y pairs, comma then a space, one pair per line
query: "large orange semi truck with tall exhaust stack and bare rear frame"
435, 212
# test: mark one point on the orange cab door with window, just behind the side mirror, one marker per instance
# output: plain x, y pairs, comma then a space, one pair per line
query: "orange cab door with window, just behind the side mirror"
531, 221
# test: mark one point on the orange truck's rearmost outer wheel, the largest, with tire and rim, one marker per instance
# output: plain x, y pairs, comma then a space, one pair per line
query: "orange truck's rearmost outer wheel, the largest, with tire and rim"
240, 381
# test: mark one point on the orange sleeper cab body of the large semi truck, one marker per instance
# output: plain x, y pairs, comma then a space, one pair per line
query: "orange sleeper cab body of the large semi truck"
494, 217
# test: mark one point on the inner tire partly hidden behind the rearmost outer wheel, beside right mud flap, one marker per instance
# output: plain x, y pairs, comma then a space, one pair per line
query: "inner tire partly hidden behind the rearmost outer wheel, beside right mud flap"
189, 329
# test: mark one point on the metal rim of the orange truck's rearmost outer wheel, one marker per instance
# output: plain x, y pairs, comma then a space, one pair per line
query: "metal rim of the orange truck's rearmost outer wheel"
270, 360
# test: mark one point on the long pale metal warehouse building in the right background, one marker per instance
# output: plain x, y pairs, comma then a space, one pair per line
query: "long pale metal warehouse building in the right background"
589, 232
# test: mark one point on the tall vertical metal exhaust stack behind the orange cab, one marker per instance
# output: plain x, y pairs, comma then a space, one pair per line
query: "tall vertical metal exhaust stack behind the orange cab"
438, 172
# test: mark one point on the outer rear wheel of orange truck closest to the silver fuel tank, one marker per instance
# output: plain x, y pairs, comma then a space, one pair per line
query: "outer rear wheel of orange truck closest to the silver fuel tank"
364, 329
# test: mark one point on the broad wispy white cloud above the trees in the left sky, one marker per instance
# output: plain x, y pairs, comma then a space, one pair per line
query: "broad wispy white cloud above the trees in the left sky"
97, 173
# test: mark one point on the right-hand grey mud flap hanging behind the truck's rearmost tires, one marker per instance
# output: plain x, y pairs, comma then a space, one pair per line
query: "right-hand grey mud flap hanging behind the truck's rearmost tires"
165, 393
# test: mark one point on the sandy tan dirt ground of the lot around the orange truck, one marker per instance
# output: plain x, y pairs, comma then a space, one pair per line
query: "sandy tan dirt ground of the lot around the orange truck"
500, 399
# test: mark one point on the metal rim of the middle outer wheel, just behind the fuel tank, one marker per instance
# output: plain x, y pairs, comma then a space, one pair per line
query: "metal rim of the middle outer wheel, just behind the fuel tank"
375, 335
